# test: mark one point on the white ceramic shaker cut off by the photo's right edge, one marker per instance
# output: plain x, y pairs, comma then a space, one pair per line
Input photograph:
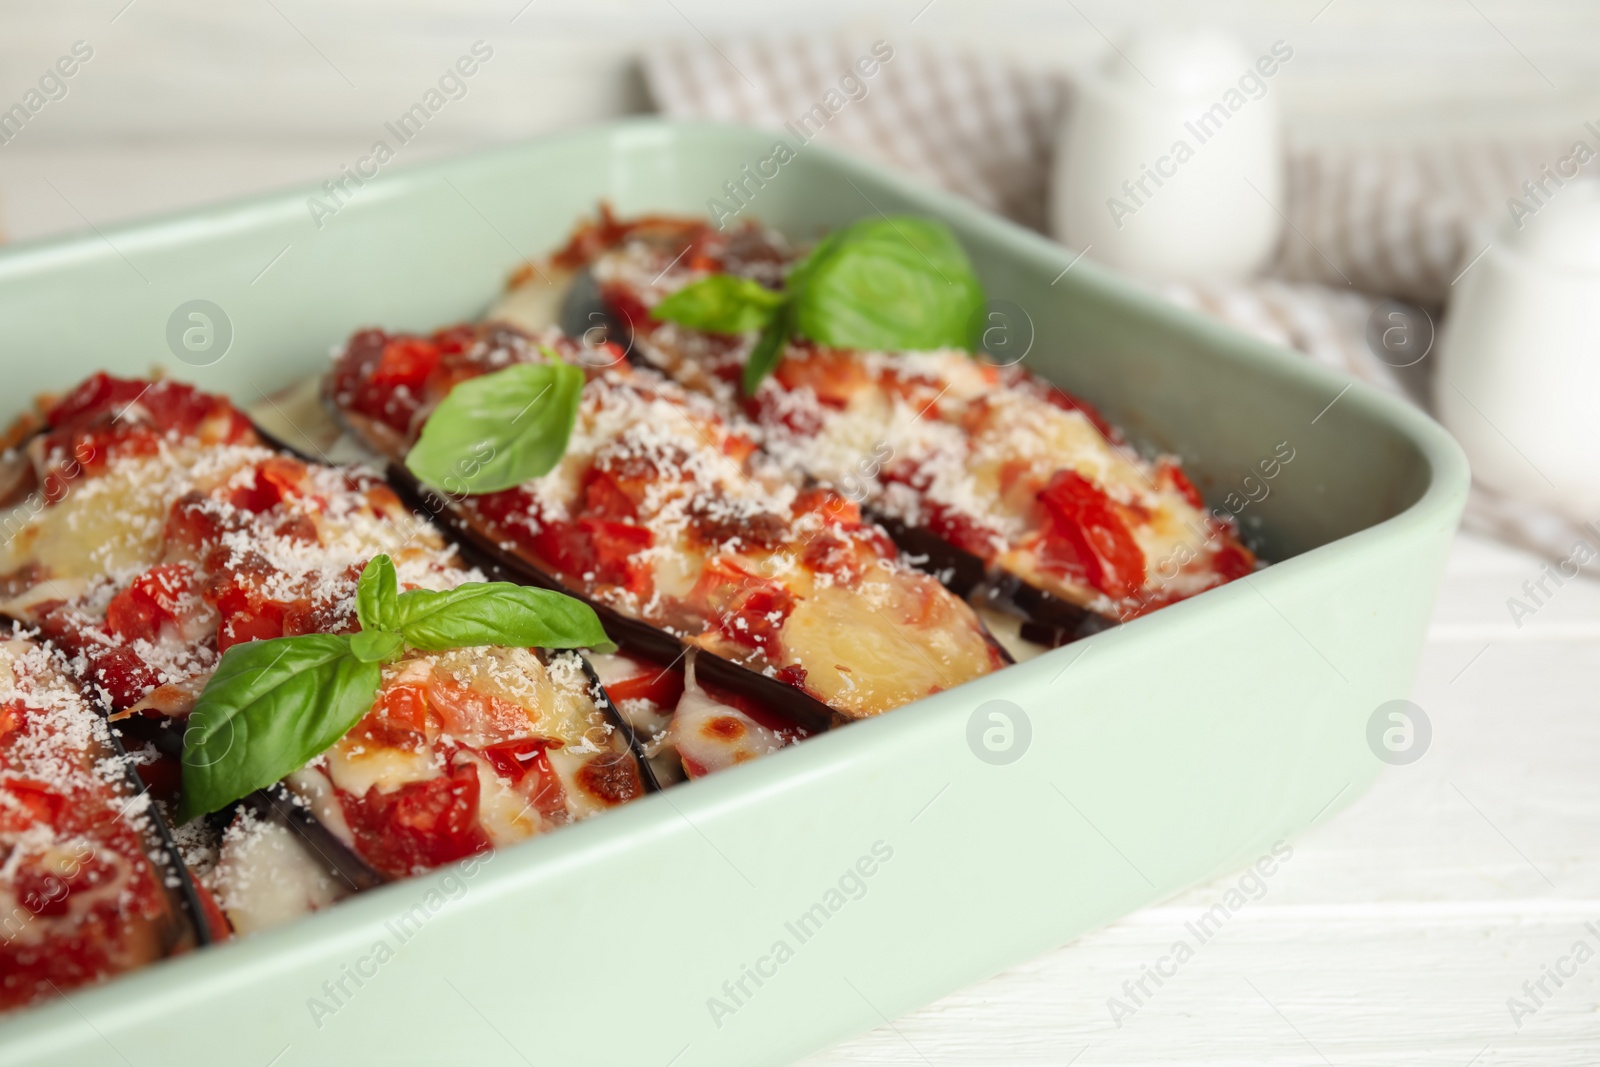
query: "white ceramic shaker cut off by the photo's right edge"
1519, 362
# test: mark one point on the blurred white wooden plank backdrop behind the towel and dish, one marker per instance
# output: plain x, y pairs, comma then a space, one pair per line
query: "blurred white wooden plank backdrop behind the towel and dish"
188, 102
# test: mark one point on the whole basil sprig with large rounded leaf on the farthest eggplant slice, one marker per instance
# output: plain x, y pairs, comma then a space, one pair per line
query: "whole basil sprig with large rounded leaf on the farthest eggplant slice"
897, 284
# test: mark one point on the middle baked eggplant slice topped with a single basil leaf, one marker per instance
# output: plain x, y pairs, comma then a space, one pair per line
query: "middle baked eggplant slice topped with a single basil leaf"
662, 513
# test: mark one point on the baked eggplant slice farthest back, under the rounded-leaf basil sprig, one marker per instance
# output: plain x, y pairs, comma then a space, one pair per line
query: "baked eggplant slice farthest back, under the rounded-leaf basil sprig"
1017, 494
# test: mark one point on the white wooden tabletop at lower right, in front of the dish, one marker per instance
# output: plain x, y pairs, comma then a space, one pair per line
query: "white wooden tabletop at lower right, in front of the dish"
1402, 927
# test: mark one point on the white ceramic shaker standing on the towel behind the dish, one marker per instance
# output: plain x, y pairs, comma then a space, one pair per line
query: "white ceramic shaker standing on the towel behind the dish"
1170, 159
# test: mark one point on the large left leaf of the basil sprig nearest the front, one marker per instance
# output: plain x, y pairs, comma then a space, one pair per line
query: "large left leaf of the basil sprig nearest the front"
270, 709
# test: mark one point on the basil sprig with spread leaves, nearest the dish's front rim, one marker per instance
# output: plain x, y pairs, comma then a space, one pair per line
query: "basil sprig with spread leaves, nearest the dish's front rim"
276, 705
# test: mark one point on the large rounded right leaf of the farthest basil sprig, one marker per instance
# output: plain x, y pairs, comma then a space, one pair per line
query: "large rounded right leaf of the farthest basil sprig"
892, 284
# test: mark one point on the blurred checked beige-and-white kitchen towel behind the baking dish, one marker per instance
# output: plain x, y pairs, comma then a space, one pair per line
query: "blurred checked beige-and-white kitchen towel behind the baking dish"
1366, 223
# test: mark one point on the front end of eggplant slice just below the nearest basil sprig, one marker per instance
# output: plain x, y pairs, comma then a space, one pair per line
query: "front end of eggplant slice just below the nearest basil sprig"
468, 751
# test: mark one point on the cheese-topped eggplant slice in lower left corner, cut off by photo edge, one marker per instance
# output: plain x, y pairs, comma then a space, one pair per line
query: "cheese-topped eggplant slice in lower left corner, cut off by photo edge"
90, 887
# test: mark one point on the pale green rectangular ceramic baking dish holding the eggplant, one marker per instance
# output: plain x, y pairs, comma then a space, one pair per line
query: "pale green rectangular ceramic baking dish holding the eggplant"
785, 905
